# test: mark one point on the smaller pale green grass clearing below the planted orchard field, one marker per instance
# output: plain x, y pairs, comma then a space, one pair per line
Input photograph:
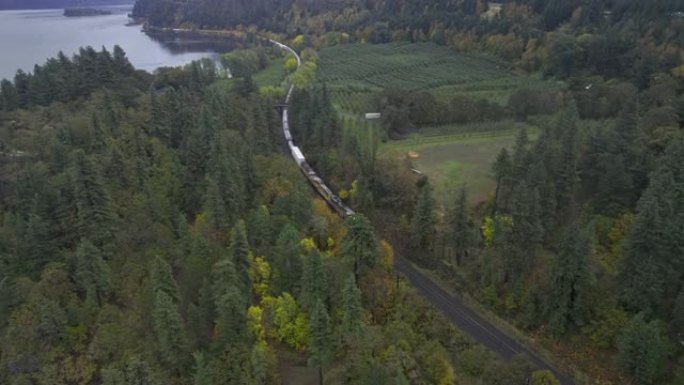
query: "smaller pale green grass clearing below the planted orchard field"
453, 160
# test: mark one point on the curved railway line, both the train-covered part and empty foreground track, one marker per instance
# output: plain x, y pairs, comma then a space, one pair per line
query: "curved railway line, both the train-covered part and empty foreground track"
465, 318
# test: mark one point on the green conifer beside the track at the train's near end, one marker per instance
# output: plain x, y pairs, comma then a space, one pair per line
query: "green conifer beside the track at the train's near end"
359, 244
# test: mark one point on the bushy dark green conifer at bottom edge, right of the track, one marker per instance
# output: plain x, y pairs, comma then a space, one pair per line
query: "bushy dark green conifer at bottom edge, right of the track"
642, 350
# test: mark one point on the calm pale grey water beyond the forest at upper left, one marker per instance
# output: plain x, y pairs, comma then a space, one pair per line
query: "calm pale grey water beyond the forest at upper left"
30, 37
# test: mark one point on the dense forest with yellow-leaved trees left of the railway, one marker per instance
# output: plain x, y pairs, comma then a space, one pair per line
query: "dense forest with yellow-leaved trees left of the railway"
152, 232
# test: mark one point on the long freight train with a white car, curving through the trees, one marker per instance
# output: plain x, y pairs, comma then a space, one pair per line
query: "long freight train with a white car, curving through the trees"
318, 184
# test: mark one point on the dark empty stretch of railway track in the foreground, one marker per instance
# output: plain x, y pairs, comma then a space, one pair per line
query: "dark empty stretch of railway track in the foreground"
469, 321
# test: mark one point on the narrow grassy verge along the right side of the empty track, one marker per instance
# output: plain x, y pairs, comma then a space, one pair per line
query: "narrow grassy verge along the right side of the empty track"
532, 344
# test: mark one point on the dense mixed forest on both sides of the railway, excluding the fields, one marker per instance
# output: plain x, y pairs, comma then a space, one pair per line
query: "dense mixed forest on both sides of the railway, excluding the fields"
152, 228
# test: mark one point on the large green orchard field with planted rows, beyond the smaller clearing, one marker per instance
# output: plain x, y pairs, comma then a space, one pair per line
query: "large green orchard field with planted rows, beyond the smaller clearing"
356, 73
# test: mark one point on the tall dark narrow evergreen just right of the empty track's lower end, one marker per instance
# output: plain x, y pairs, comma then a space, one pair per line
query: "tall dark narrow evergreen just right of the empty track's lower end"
570, 282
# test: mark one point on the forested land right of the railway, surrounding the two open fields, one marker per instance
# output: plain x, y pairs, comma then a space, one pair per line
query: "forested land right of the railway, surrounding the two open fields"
579, 242
